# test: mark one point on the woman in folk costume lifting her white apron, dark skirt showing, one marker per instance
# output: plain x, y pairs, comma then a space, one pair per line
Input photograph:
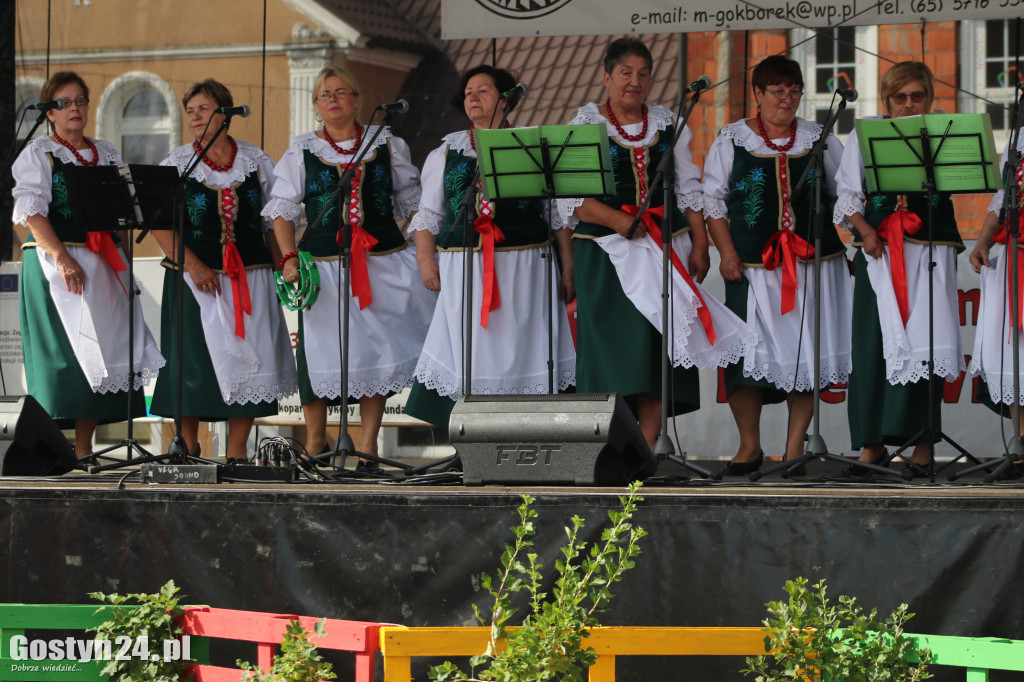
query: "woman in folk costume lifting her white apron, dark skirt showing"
620, 280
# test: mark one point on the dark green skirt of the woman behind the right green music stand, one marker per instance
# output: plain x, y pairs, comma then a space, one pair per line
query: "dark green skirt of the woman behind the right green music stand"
880, 412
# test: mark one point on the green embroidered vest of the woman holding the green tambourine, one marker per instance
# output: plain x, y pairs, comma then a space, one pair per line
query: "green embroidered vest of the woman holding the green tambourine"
374, 198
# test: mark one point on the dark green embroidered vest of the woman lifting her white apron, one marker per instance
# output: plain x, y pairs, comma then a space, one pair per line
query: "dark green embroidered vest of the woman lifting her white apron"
627, 181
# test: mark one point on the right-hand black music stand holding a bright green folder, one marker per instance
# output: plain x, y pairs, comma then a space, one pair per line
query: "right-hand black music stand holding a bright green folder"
930, 154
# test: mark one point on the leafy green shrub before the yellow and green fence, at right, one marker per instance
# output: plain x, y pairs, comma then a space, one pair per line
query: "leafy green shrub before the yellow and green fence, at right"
810, 638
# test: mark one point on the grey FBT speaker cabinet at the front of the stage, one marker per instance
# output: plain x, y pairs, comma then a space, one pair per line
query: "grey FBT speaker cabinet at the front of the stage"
567, 440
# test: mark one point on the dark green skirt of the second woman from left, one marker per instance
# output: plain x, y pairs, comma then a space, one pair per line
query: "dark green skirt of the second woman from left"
200, 391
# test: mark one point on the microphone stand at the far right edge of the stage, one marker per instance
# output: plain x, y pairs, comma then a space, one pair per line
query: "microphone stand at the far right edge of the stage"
1011, 207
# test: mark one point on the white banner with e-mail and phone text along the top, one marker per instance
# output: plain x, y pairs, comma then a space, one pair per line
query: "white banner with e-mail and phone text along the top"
499, 19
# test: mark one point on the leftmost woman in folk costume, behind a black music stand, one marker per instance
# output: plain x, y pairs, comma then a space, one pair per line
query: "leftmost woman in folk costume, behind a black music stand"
73, 296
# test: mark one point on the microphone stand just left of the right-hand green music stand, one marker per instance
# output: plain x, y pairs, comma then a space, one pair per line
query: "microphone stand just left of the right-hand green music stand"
817, 448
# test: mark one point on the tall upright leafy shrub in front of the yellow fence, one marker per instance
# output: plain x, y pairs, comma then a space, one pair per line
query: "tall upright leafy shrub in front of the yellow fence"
549, 645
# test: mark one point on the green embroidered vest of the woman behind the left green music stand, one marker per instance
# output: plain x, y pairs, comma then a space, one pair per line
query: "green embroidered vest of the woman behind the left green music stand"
522, 221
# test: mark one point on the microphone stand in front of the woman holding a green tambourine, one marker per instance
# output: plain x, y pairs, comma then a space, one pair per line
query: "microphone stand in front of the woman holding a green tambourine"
344, 446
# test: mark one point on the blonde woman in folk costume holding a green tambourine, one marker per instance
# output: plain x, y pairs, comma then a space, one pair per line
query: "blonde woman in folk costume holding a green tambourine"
390, 311
